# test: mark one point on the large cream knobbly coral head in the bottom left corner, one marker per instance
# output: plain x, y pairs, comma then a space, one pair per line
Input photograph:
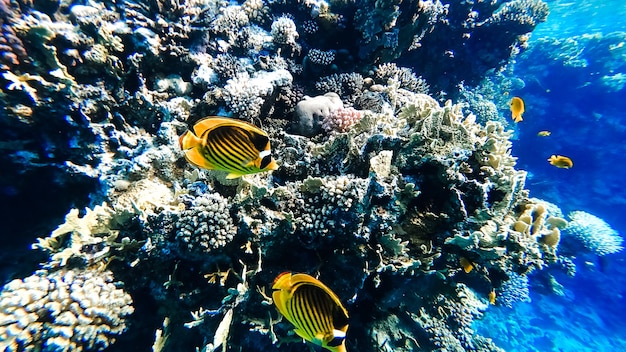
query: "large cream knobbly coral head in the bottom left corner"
65, 310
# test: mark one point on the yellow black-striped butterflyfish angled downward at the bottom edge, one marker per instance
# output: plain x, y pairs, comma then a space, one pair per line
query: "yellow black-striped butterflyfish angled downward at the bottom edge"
313, 308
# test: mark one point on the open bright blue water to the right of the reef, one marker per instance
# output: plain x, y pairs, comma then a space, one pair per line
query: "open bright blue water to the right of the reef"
588, 124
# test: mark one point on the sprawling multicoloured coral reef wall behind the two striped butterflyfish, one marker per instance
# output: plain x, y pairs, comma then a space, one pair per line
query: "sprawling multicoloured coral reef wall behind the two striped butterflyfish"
381, 188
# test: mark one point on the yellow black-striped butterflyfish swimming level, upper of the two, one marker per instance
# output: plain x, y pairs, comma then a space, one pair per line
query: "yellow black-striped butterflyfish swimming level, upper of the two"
221, 143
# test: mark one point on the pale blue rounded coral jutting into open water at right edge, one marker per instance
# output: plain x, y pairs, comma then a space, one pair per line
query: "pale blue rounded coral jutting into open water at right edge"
593, 233
